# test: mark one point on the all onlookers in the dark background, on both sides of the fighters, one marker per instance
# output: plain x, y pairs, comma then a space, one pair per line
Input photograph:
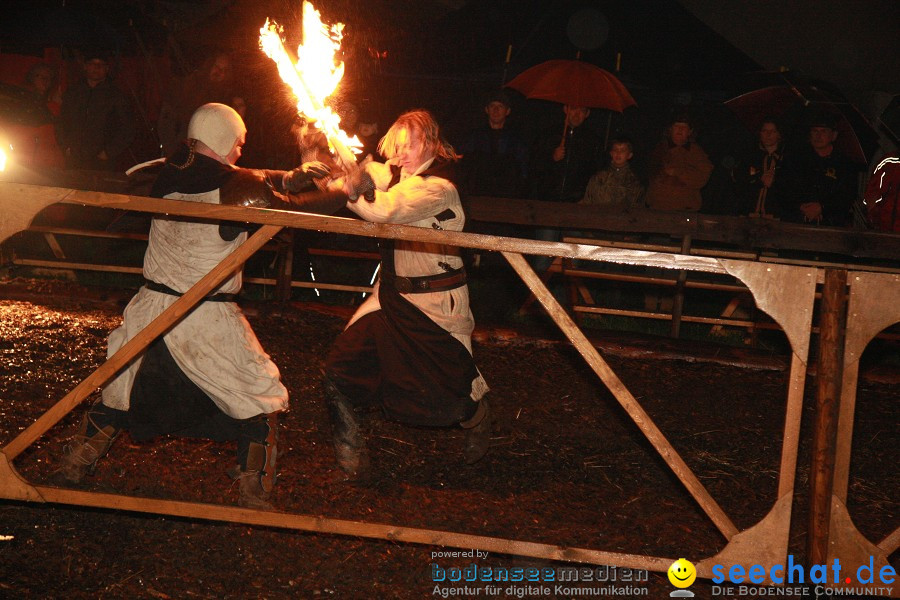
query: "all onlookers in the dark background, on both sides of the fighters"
91, 125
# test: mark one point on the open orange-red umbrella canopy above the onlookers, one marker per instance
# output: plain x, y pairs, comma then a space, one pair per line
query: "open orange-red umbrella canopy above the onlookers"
575, 83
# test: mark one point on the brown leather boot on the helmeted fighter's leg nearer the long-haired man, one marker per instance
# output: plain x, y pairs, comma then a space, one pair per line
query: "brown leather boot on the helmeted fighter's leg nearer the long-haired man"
258, 472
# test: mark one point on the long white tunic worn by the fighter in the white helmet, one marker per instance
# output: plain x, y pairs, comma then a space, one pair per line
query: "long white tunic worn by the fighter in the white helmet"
214, 344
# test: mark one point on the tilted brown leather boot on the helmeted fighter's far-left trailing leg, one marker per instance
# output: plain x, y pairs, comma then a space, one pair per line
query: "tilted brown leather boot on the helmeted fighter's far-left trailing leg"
81, 453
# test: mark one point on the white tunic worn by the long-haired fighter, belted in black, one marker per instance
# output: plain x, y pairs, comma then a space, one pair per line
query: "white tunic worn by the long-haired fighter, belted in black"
415, 201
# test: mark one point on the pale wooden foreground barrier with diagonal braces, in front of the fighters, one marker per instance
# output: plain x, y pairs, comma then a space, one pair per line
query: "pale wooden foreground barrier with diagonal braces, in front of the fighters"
785, 292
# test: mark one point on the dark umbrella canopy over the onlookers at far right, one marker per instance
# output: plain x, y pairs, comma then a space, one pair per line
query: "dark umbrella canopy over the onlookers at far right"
792, 103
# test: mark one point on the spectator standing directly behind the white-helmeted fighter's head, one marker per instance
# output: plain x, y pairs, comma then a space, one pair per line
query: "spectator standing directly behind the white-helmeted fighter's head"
214, 81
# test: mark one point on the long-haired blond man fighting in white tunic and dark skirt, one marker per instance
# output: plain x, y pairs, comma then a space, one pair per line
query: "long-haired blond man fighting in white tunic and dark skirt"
408, 348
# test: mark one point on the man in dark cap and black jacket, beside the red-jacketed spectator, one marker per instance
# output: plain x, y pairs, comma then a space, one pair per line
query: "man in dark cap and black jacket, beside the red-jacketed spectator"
822, 181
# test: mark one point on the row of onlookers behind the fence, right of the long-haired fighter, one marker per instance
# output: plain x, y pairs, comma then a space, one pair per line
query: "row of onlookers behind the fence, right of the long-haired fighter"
813, 184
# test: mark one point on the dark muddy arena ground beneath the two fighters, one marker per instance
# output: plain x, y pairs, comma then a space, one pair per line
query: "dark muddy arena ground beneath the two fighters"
566, 467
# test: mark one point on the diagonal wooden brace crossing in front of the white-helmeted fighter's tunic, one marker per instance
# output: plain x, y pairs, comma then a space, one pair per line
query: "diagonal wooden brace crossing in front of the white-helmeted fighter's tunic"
138, 343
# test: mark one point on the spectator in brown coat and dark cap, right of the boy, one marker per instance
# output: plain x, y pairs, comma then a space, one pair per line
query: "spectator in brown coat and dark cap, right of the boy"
678, 168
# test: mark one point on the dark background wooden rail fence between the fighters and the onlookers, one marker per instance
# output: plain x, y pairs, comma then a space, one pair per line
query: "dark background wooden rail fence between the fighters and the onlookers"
704, 235
